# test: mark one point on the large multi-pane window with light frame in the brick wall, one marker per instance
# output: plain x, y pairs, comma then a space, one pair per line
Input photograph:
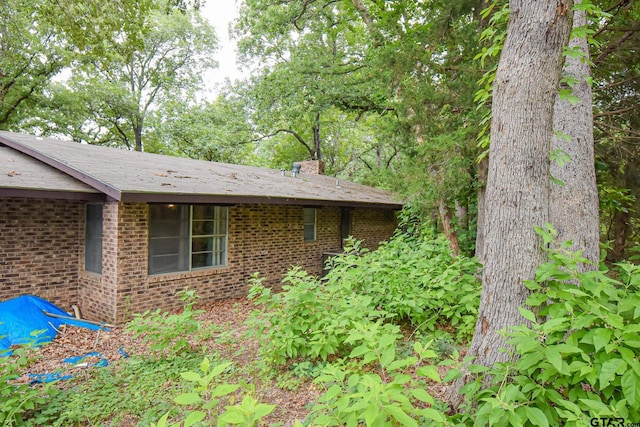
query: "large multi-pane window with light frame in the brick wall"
186, 237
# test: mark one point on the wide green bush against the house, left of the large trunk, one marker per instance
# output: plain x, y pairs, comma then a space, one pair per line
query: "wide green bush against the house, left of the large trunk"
411, 279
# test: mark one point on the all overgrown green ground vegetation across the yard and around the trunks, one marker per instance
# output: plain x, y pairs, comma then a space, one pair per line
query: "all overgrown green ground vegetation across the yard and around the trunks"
381, 335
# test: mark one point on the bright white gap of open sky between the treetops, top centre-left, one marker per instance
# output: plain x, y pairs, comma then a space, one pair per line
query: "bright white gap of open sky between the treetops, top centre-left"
220, 13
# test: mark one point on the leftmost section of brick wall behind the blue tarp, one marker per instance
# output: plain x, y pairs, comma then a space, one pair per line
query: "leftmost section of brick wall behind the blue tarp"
40, 243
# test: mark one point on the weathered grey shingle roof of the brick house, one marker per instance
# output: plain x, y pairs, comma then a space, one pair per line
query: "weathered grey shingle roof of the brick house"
133, 176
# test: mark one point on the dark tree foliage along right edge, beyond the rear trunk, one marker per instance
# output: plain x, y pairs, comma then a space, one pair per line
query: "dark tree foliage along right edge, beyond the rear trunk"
616, 90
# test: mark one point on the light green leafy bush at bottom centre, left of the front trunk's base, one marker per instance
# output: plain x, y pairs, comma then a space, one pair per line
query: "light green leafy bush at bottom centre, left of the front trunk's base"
395, 394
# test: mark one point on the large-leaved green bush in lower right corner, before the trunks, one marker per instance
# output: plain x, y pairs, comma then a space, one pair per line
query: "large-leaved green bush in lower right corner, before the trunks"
580, 362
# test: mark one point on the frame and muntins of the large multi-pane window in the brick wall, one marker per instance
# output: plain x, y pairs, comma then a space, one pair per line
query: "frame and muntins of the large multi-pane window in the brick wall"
219, 236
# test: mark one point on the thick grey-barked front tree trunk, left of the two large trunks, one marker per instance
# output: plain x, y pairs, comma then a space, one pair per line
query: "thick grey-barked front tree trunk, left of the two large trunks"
517, 196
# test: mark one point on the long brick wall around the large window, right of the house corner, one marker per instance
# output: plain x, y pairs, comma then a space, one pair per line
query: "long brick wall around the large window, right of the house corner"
267, 239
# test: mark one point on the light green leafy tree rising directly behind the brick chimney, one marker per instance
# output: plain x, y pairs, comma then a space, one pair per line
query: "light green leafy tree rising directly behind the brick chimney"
315, 56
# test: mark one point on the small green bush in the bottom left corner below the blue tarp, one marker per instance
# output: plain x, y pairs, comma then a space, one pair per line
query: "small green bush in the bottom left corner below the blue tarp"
20, 401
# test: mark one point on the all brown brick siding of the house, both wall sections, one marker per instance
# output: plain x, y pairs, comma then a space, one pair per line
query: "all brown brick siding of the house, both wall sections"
267, 239
